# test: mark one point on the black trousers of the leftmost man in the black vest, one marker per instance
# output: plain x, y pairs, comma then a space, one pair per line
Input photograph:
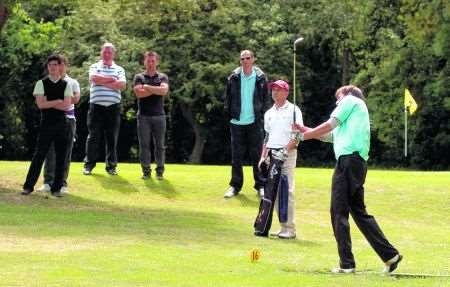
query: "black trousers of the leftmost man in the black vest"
48, 135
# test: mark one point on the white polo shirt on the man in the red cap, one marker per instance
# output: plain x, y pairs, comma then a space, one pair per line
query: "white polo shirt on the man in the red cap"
278, 124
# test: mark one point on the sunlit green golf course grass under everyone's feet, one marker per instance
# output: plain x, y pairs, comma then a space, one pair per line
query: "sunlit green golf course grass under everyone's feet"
124, 231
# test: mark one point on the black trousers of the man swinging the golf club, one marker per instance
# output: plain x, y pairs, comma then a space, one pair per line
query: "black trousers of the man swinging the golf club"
347, 196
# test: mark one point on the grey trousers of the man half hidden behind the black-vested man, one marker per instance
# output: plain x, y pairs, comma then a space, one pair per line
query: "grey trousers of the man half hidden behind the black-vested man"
50, 159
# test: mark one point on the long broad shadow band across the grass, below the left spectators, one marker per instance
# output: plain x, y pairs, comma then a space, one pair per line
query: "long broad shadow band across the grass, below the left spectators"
41, 215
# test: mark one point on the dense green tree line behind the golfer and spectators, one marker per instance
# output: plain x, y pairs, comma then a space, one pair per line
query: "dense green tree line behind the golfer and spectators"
382, 46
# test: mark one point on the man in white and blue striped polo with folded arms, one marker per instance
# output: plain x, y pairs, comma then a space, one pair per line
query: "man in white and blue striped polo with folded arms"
107, 81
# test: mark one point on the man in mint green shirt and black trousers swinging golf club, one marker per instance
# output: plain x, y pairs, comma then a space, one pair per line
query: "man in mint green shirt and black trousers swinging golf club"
349, 130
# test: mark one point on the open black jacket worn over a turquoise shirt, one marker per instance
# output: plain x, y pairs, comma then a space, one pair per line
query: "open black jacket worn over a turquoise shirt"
261, 98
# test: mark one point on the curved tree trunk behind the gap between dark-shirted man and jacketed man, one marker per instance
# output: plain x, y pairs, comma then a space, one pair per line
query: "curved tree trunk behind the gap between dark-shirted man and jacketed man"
200, 135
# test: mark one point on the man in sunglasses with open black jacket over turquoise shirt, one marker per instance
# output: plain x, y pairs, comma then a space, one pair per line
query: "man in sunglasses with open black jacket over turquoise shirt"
246, 101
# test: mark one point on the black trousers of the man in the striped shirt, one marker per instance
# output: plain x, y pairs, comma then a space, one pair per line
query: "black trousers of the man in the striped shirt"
102, 122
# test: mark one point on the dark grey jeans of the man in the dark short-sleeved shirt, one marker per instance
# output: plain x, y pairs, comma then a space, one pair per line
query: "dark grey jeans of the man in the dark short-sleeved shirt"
152, 127
